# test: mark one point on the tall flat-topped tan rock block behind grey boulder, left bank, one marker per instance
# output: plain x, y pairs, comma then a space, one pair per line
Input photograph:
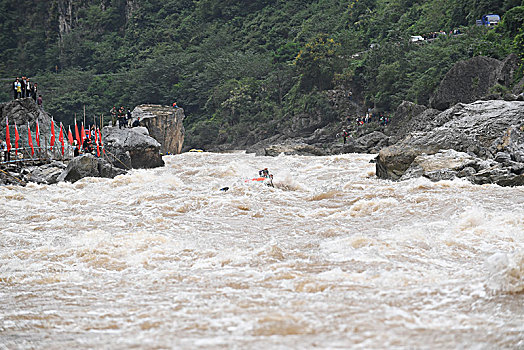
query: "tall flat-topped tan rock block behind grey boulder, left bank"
164, 124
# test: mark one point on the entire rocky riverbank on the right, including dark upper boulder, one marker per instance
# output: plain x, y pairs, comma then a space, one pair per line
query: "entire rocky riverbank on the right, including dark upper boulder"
479, 138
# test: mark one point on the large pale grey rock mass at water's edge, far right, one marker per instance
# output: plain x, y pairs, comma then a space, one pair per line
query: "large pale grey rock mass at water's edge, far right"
485, 130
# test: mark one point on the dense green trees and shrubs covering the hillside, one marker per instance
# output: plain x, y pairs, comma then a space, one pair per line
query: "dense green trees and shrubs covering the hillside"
241, 68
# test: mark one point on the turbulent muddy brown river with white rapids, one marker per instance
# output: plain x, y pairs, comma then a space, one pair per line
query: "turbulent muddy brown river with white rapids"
329, 258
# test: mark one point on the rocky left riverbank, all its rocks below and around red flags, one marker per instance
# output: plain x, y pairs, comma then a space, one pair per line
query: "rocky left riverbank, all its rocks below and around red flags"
124, 149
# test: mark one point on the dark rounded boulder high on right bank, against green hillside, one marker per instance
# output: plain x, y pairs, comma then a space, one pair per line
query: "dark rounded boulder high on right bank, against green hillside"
470, 80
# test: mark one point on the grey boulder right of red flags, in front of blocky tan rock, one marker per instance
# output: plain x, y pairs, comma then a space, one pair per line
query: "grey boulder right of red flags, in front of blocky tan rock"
127, 148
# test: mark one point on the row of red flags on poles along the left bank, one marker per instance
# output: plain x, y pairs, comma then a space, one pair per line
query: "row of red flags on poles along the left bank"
79, 137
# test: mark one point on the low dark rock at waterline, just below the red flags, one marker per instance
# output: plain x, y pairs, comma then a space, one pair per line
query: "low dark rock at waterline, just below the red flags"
88, 166
